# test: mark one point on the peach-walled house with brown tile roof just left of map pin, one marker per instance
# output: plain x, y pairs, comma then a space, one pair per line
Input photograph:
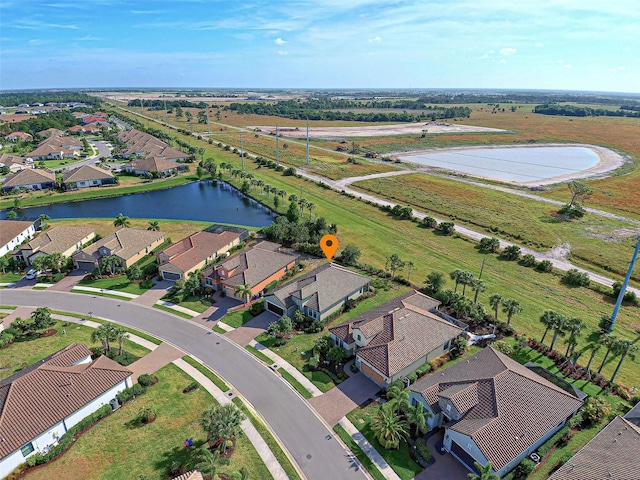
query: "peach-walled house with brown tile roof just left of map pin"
257, 267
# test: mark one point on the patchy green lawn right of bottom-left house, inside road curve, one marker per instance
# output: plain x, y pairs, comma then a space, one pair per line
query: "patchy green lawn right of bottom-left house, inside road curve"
121, 447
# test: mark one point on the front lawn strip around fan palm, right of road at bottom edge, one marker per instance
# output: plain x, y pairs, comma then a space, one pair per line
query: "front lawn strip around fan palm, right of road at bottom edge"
400, 460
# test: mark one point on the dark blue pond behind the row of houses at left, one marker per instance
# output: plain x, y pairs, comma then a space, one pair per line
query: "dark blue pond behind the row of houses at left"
195, 201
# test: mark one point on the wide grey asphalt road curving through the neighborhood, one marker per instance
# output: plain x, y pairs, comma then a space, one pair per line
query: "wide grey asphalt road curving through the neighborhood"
307, 438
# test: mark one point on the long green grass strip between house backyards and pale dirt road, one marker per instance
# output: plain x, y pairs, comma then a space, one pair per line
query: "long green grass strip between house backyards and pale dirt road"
379, 236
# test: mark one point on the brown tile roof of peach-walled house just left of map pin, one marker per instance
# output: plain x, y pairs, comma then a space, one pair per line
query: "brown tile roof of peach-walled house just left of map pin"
253, 266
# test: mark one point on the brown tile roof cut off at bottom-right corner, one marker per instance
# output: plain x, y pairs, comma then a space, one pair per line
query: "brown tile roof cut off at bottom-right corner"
614, 453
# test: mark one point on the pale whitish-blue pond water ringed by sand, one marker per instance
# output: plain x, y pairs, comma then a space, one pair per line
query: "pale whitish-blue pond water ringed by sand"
514, 164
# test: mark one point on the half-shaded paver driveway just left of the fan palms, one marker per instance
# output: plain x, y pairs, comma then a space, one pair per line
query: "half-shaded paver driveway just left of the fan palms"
340, 400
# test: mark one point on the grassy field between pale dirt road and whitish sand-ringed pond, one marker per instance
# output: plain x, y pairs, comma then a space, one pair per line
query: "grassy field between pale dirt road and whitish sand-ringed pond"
526, 222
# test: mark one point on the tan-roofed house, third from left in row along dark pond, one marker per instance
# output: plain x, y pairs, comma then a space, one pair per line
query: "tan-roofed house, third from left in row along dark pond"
128, 244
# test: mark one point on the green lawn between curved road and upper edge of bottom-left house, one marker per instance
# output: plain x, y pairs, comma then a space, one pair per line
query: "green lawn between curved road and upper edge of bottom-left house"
26, 352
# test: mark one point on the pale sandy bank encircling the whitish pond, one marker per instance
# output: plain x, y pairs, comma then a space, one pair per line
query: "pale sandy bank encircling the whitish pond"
608, 161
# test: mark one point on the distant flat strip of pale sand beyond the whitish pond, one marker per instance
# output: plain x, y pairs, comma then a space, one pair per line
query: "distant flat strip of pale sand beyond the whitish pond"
375, 130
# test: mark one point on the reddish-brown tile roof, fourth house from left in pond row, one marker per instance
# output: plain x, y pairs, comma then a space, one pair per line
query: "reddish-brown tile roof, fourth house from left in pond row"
196, 248
